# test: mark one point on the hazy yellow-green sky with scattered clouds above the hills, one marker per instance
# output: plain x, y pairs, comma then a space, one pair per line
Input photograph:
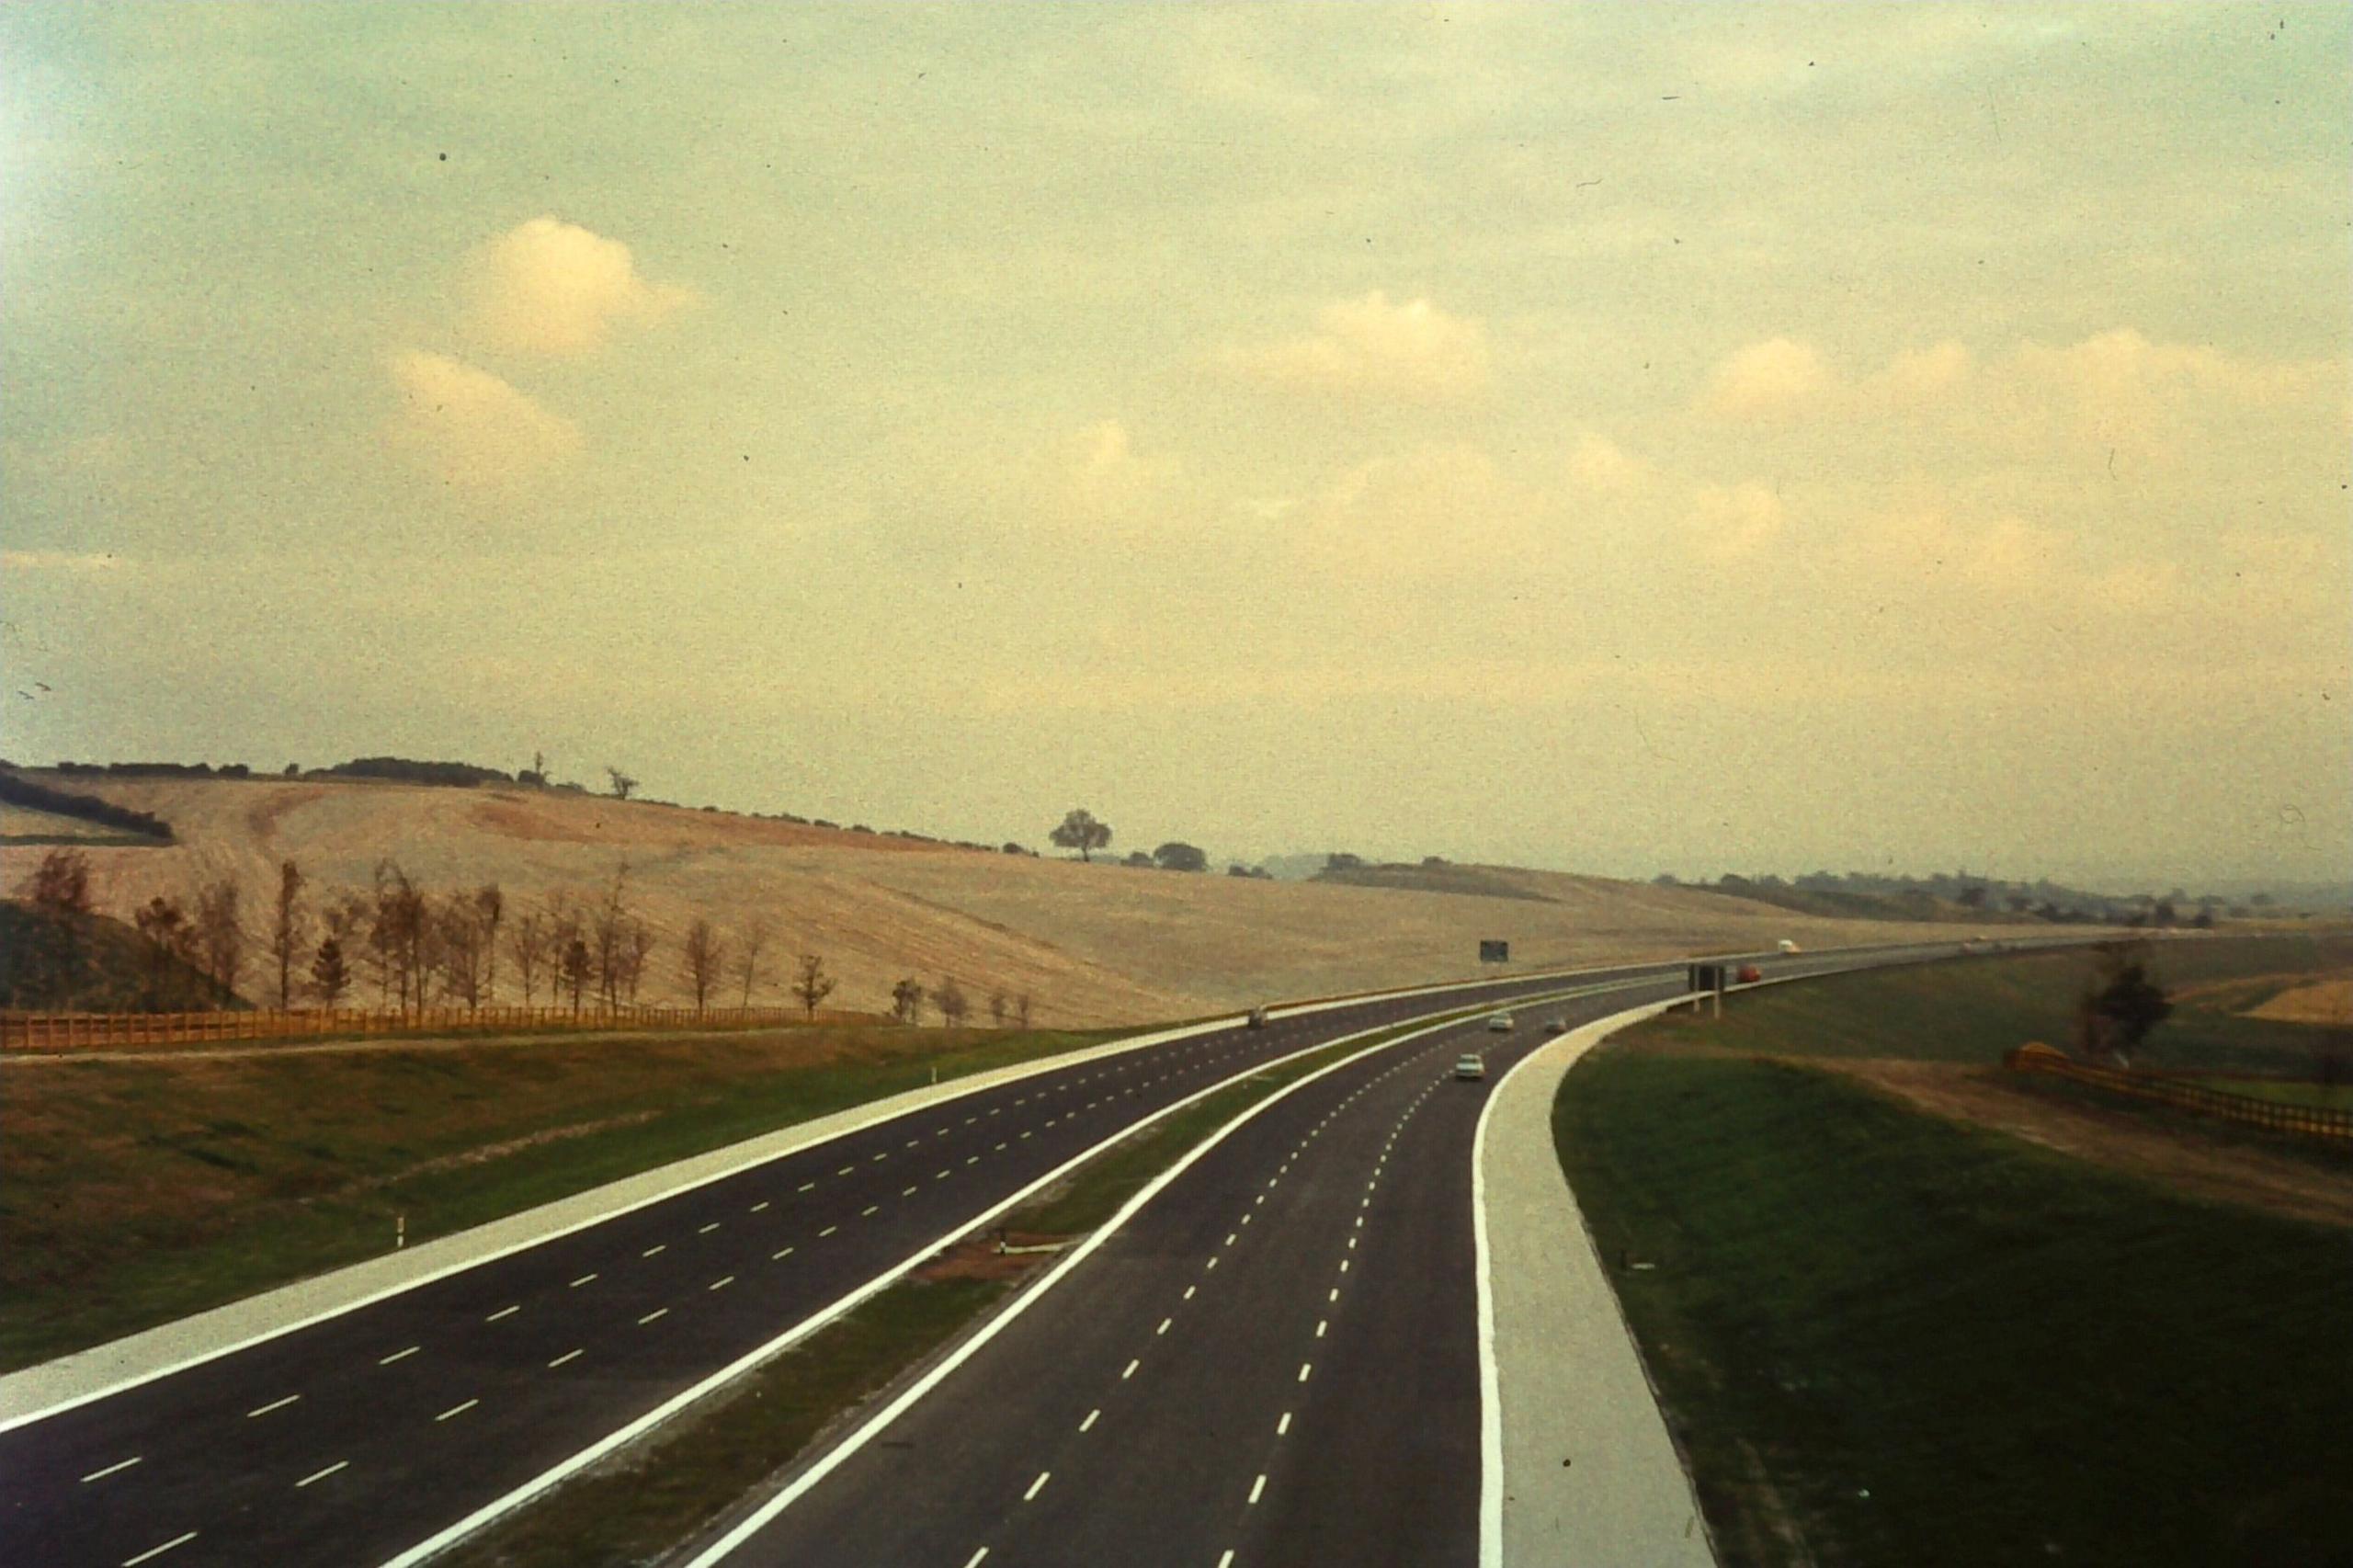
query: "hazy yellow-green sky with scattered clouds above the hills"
1615, 439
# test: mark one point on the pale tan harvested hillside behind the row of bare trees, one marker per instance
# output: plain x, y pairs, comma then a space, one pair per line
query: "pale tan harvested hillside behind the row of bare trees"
1093, 945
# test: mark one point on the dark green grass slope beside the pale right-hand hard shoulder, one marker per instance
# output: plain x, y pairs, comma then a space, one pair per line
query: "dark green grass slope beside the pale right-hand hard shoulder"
1921, 1343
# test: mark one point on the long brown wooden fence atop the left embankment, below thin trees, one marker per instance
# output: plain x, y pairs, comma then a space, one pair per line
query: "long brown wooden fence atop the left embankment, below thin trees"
119, 1030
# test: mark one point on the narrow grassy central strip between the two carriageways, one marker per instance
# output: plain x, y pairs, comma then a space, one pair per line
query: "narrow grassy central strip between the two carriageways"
674, 1484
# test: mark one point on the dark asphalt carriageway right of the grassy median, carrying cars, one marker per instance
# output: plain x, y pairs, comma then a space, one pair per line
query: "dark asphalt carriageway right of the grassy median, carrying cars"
1272, 1362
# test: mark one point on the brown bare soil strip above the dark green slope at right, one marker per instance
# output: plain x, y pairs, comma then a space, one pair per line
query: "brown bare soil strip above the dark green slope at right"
2175, 1155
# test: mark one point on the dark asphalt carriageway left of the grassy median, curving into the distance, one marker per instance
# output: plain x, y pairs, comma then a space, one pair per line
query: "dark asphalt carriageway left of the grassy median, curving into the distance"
373, 1435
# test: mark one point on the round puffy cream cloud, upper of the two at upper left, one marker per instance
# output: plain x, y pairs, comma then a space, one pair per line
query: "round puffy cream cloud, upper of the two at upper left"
561, 291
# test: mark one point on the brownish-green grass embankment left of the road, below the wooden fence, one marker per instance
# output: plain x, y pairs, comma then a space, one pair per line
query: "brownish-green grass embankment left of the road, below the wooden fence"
140, 1192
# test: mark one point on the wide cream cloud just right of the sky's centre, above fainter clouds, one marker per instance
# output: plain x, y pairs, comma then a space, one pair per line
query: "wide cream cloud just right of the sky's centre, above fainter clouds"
1375, 350
